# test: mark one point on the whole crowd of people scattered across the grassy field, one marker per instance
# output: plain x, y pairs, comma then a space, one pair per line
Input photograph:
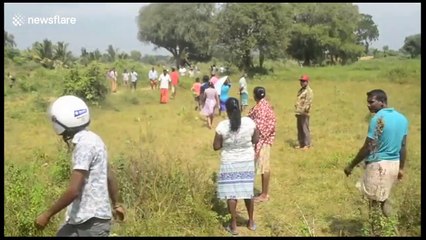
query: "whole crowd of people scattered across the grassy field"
245, 141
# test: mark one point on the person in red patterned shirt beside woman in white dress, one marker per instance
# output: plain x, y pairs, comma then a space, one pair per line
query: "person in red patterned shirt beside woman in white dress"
264, 117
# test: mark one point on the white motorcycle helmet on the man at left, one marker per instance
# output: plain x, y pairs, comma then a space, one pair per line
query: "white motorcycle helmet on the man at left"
69, 114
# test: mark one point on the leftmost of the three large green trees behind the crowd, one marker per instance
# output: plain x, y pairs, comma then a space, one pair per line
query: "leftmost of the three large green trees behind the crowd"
182, 29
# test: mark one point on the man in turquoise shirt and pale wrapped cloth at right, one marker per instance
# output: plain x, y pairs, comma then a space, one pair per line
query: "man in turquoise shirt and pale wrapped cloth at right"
384, 152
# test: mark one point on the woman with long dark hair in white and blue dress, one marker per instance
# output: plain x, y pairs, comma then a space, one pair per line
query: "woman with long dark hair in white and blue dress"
236, 136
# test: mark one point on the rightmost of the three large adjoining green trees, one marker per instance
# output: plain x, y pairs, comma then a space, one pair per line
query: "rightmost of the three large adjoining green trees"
324, 32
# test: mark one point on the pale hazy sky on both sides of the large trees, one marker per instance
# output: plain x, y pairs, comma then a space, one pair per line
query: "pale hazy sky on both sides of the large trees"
101, 24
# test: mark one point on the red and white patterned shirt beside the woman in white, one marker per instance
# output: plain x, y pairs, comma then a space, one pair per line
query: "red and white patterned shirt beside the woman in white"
264, 117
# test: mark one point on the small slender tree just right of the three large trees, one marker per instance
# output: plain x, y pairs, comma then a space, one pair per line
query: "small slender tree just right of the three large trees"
367, 31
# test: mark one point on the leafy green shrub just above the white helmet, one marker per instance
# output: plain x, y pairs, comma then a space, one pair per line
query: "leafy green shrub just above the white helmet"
88, 85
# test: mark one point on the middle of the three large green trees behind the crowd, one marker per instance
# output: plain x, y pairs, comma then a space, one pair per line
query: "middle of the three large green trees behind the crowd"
253, 28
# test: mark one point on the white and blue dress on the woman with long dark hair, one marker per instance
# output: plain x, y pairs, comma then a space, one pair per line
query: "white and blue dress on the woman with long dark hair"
237, 168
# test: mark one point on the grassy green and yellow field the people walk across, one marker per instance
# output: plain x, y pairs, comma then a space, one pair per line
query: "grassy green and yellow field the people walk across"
165, 161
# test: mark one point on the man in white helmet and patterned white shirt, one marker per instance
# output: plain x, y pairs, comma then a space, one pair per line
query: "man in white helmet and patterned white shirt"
92, 183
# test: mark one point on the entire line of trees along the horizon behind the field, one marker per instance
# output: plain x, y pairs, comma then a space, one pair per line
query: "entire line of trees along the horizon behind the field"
238, 33
